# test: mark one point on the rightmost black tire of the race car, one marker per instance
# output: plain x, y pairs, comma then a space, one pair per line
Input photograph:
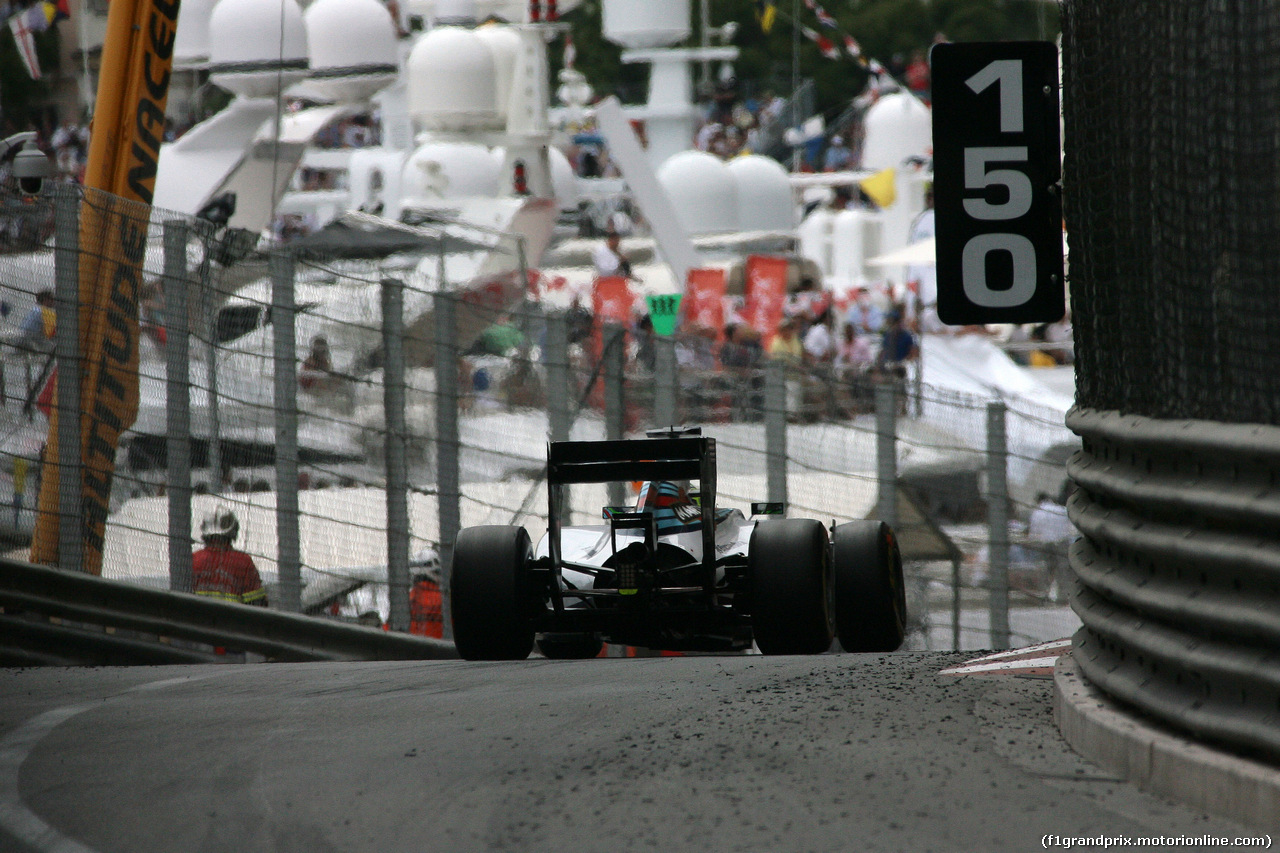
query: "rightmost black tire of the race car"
871, 597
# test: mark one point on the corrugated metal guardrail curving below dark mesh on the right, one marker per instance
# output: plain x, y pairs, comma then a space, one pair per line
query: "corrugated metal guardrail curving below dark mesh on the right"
1180, 572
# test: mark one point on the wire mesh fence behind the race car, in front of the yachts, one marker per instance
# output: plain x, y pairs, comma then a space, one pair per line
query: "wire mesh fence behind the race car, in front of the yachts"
355, 413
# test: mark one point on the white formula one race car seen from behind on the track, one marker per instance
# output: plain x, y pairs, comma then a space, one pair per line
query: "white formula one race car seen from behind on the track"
675, 572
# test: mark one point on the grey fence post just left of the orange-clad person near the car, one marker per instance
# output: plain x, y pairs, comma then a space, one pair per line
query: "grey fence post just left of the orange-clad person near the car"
397, 469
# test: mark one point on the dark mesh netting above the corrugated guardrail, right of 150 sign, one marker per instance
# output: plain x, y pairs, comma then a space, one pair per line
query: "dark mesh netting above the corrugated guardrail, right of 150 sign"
1172, 113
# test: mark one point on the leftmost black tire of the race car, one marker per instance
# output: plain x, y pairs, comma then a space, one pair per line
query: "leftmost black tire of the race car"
491, 594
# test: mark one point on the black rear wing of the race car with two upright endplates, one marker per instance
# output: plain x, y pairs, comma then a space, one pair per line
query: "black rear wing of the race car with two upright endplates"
641, 459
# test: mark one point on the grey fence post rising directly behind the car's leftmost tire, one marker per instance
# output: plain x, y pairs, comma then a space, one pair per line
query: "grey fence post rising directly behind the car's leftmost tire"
447, 444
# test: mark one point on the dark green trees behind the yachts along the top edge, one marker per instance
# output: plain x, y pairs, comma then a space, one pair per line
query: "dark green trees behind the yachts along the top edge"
883, 28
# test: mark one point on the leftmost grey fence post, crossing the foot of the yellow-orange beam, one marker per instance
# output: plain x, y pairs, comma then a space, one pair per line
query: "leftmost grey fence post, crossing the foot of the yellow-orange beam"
71, 544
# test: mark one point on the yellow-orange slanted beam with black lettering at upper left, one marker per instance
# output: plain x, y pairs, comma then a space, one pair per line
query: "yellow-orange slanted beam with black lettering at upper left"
120, 181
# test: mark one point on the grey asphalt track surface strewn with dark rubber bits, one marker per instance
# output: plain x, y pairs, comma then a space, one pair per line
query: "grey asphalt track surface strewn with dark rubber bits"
836, 752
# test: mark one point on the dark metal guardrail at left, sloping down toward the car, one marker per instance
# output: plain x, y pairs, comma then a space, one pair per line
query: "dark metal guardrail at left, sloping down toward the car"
49, 617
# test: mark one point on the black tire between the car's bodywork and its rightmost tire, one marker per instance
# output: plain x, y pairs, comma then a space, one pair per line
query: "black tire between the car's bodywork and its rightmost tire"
792, 587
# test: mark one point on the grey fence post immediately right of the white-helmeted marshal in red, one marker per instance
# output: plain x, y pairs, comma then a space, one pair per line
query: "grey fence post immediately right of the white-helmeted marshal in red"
286, 355
